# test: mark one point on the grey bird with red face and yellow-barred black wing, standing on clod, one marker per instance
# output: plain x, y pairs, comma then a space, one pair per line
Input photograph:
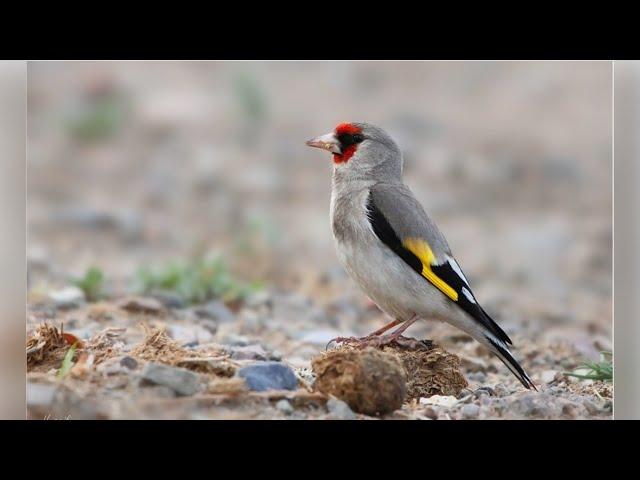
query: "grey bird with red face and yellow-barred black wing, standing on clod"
393, 250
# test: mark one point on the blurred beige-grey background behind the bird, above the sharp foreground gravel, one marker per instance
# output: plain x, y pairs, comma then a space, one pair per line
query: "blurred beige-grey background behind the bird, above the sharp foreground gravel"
143, 172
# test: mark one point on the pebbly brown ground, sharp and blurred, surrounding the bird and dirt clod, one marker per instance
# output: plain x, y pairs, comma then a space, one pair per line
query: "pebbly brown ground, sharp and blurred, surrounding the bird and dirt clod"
134, 168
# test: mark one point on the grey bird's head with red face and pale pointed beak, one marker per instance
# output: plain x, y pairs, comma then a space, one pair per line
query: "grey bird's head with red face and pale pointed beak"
362, 147
